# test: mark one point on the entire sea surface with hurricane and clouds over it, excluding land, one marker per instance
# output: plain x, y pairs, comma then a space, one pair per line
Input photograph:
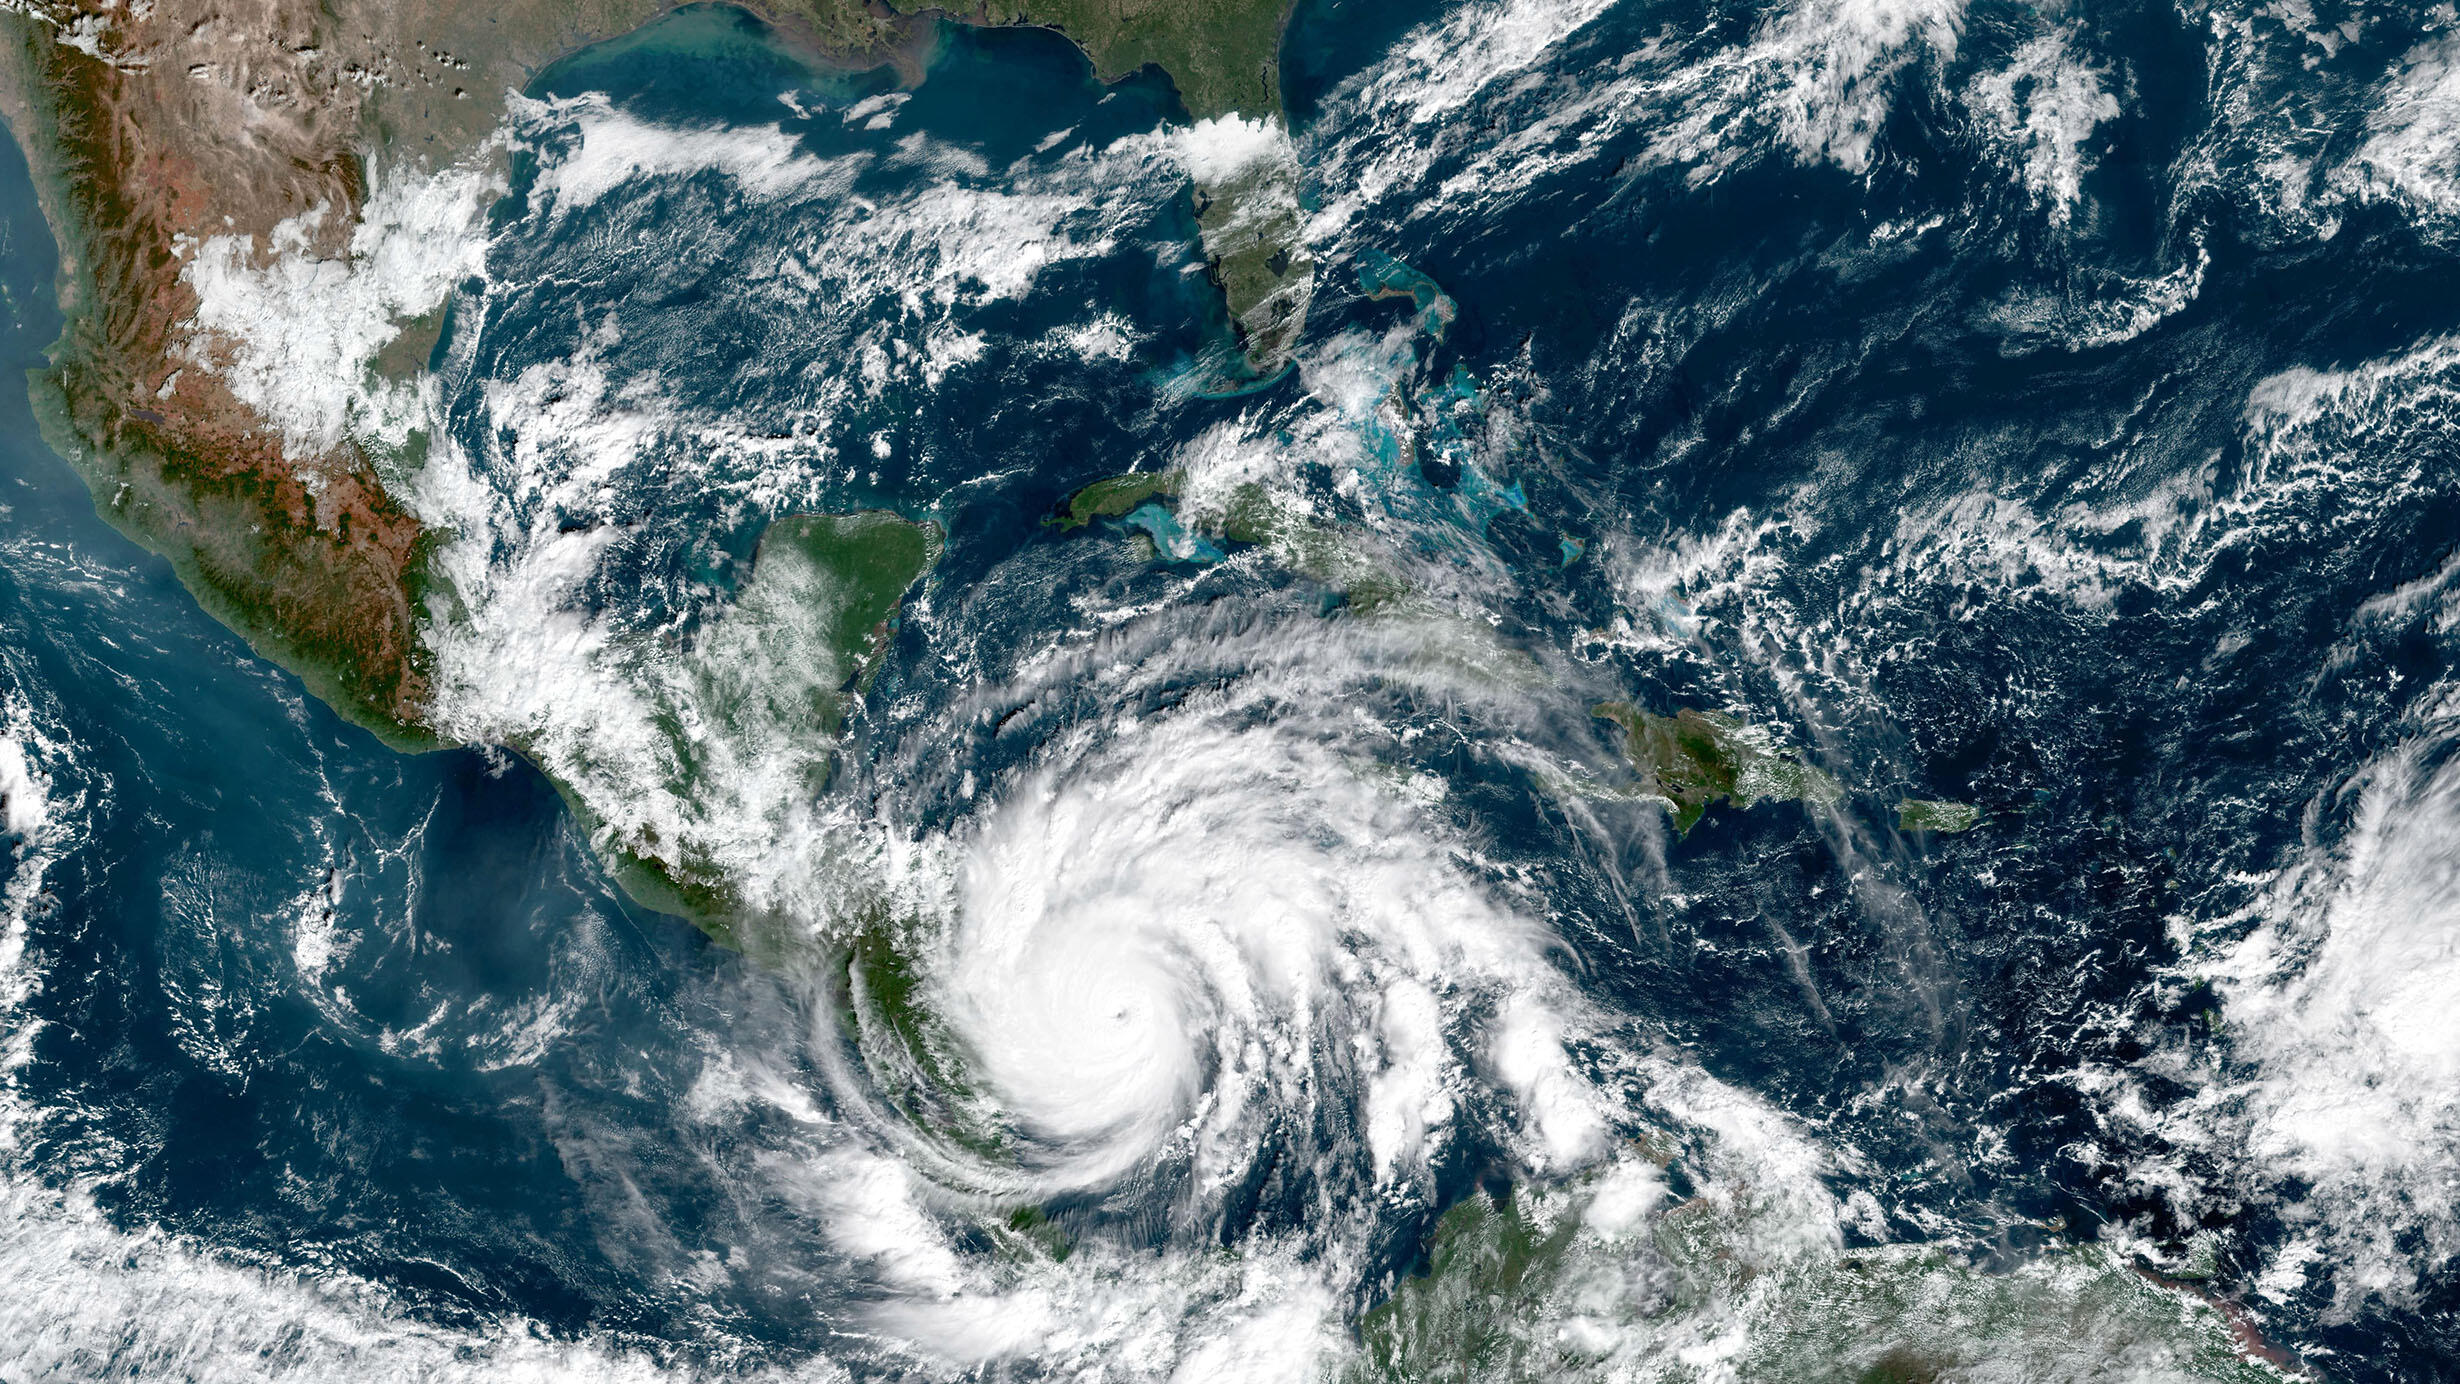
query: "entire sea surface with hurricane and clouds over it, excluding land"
2117, 508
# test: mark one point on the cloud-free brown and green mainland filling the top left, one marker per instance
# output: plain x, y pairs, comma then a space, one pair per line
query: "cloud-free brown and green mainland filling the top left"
311, 559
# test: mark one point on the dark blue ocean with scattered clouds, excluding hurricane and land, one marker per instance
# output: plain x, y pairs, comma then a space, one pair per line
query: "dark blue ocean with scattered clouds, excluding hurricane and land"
1878, 451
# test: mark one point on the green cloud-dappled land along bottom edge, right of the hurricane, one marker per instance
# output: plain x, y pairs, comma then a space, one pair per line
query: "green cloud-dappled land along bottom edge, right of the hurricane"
1517, 1289
